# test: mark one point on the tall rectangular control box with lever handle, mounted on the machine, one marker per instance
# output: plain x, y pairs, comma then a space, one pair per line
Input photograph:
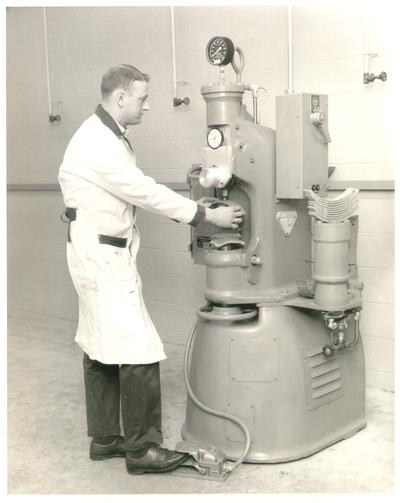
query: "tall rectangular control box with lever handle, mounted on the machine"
302, 139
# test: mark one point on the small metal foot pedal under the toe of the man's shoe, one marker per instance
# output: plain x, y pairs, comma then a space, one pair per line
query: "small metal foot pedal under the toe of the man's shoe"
204, 463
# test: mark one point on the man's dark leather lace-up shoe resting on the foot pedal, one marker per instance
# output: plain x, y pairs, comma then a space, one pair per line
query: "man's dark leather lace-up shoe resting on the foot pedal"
156, 460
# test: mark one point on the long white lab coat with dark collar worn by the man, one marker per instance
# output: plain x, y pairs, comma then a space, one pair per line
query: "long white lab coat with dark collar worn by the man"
99, 178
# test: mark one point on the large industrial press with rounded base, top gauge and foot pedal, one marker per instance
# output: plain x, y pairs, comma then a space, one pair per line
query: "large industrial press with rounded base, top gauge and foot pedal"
276, 359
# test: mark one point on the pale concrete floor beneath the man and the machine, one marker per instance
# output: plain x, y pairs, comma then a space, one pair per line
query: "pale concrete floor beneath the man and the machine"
48, 446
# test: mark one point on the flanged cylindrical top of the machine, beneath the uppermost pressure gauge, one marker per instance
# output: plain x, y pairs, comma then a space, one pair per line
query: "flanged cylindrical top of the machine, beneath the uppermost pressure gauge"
223, 101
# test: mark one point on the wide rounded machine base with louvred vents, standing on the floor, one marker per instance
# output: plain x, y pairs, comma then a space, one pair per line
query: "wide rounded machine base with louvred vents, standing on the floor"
270, 372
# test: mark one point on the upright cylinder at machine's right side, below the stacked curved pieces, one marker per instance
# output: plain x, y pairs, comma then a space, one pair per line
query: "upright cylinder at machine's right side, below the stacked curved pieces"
331, 267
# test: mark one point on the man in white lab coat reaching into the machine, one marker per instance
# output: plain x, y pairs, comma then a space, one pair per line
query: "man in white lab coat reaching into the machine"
102, 186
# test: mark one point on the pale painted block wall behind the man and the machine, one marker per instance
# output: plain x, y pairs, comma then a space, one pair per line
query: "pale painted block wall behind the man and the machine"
84, 41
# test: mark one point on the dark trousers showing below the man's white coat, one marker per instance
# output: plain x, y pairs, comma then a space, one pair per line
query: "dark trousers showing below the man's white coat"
137, 388
